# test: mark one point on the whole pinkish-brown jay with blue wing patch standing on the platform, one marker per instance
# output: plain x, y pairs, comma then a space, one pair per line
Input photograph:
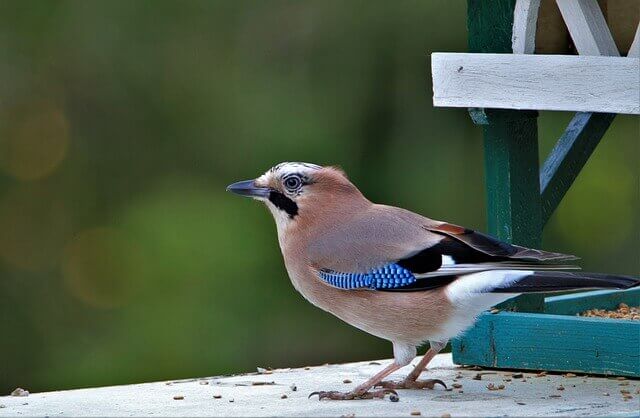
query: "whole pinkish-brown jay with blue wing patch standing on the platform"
396, 274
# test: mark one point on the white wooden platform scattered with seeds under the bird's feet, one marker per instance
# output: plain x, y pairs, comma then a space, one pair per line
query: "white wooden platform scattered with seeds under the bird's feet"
273, 395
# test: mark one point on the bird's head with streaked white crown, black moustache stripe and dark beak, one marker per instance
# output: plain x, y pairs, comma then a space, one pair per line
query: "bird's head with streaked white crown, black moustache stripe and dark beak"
300, 190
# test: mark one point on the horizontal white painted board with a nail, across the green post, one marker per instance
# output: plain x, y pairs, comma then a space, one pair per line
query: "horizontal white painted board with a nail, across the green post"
543, 82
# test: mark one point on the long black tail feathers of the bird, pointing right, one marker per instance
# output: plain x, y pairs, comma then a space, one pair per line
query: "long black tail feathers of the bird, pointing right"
553, 281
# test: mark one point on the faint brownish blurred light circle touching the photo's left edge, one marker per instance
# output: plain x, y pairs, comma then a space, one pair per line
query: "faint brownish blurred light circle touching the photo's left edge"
33, 139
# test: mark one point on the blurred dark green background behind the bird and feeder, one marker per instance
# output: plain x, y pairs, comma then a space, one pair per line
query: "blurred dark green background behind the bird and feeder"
122, 259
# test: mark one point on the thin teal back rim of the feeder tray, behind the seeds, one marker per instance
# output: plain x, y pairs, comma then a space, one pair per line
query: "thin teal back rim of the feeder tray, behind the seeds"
575, 303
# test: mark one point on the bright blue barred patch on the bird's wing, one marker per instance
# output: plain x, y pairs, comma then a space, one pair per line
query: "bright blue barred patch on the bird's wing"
390, 276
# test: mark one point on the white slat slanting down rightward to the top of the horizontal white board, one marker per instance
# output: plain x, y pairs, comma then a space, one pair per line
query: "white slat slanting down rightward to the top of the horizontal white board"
587, 27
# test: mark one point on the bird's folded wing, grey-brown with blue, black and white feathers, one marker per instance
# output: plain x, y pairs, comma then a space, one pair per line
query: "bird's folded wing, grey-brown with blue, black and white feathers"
391, 248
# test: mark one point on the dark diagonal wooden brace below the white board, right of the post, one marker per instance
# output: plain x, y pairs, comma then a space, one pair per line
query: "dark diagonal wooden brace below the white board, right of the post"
569, 155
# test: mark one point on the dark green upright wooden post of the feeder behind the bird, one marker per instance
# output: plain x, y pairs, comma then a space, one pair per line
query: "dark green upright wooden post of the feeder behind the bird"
510, 146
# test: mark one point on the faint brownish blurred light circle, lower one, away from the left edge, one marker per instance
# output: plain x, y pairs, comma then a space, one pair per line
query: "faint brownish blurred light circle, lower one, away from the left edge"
98, 267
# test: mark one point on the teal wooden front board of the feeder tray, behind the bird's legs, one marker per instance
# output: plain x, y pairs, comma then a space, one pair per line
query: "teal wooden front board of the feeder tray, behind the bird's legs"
552, 342
